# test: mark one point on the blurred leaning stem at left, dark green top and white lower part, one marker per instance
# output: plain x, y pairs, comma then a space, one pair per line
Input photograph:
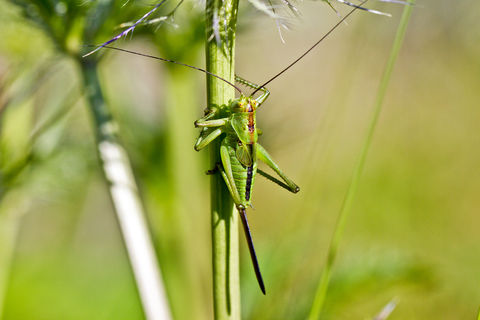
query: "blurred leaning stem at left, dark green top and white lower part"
126, 200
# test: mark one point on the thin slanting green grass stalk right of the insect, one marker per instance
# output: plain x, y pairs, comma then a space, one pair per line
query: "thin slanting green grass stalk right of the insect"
322, 288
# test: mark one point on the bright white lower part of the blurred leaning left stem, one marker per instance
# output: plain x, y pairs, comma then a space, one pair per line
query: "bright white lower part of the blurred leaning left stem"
135, 231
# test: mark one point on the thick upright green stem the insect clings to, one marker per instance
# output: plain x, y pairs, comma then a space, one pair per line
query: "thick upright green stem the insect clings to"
225, 259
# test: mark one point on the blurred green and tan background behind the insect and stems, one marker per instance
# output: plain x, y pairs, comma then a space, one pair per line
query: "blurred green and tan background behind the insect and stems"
414, 229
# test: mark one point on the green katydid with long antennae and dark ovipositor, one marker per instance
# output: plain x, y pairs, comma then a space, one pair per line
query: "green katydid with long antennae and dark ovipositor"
239, 149
